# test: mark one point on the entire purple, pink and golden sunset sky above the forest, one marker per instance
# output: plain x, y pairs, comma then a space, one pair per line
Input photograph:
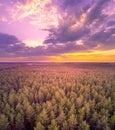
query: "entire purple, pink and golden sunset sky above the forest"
57, 30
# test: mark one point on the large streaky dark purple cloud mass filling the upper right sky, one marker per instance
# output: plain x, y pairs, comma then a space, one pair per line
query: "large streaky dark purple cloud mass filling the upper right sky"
94, 29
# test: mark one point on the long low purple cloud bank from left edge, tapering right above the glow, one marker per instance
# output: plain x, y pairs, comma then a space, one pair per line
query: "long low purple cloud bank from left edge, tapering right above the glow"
11, 46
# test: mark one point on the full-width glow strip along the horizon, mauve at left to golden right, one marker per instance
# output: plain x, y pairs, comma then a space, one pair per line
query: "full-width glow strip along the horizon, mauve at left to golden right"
92, 56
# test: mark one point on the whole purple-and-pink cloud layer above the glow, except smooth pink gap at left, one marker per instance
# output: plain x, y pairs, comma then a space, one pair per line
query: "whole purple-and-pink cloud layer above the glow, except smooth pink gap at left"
72, 25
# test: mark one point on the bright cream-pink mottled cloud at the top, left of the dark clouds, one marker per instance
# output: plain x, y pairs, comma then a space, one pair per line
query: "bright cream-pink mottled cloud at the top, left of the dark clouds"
40, 12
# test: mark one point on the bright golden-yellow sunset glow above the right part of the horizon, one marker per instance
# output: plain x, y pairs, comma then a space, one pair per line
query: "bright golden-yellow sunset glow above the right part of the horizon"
93, 56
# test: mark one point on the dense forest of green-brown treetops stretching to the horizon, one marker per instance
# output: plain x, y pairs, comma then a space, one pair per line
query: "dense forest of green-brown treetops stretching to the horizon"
57, 96
